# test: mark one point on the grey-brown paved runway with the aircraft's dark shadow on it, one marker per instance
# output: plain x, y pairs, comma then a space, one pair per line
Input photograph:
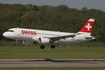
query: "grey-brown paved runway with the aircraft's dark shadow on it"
11, 63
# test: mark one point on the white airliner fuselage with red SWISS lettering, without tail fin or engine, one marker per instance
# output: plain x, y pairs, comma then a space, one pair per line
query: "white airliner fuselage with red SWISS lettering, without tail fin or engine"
29, 34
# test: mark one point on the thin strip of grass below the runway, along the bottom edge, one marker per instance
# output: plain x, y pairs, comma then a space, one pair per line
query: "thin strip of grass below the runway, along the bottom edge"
52, 68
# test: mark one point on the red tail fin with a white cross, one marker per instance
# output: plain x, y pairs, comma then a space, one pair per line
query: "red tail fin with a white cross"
87, 28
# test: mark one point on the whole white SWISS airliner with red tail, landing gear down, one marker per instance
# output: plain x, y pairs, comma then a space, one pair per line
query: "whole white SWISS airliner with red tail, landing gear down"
30, 36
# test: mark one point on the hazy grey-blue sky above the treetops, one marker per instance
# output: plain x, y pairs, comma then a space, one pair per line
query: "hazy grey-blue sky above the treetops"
79, 4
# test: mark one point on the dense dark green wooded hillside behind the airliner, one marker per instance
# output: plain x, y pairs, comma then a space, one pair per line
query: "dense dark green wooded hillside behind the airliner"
59, 18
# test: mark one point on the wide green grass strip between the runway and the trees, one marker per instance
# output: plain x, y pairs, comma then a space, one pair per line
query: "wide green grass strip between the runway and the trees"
58, 52
